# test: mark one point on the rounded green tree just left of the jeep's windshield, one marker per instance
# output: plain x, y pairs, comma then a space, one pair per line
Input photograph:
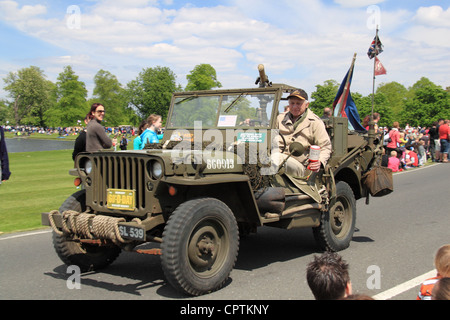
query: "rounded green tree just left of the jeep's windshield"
152, 91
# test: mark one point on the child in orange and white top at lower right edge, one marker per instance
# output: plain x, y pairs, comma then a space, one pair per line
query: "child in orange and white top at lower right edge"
442, 264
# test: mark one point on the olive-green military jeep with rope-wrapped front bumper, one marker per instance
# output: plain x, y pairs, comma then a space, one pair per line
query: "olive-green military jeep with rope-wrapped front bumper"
208, 182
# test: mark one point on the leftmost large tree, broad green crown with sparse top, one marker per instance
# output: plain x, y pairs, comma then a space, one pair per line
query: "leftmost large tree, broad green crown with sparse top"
31, 94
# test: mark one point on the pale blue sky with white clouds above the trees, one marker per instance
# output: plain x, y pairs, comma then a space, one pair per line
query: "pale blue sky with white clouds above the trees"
301, 43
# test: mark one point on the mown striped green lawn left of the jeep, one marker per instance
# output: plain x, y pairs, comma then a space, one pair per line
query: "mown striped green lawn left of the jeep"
39, 182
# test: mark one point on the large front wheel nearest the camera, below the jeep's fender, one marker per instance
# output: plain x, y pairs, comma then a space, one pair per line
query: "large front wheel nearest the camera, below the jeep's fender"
200, 246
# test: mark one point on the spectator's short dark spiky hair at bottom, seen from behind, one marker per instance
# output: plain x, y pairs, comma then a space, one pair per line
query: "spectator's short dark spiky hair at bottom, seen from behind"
328, 276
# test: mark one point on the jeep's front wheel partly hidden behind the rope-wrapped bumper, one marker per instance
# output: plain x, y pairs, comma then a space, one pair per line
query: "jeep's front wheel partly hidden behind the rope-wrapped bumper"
87, 257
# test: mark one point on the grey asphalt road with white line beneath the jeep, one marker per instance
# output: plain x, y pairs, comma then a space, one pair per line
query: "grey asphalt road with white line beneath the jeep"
395, 241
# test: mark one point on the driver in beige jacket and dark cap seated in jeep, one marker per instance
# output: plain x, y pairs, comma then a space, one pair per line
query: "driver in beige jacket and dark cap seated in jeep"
302, 125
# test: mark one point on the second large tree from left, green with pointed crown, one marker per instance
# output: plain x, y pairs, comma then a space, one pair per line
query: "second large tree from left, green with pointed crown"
71, 103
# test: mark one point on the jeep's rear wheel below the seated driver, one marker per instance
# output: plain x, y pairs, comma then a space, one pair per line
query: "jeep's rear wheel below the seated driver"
338, 224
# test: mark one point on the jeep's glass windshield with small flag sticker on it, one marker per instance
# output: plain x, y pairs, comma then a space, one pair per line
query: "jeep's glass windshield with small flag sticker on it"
222, 110
